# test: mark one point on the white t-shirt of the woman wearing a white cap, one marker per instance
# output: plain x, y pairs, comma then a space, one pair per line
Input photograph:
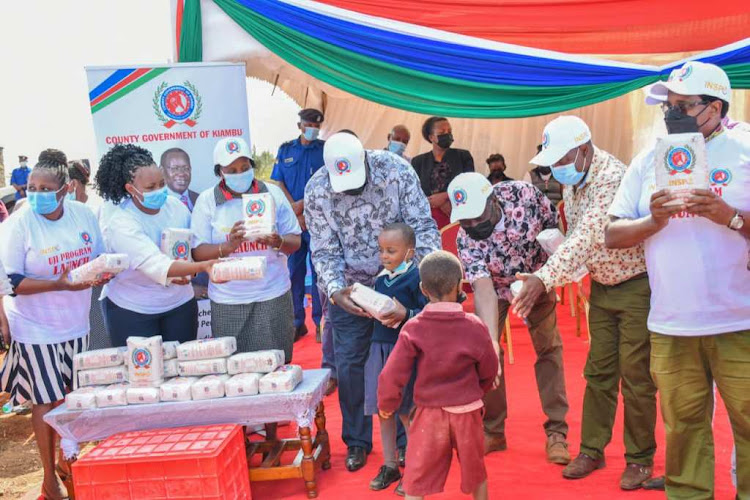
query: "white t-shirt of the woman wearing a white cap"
211, 224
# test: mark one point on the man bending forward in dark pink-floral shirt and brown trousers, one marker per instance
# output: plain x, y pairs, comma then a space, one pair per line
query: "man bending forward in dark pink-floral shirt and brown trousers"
497, 239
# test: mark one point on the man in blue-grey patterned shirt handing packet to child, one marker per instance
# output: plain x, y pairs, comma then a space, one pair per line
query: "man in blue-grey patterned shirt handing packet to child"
347, 204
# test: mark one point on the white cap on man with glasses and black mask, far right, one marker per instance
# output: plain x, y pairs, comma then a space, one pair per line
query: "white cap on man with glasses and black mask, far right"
693, 78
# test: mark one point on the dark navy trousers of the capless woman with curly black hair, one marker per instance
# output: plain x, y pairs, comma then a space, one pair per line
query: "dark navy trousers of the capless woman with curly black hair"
180, 324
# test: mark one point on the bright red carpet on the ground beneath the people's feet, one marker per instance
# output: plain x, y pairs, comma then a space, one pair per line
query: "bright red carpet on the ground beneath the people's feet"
521, 471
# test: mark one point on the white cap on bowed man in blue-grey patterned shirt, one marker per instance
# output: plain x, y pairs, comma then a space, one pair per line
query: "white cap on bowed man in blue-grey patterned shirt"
344, 158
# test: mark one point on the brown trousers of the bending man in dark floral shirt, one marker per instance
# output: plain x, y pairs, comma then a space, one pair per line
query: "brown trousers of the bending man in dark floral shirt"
550, 377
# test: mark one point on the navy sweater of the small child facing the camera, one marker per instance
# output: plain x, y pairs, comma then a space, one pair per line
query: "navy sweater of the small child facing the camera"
405, 289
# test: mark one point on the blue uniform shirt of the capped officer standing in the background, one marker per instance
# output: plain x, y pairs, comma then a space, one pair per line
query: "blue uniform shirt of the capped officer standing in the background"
295, 164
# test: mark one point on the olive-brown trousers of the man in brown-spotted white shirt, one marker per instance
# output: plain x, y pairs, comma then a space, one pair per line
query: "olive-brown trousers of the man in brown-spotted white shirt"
619, 360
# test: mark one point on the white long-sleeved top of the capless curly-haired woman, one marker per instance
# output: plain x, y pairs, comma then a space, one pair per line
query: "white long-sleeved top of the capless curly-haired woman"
143, 288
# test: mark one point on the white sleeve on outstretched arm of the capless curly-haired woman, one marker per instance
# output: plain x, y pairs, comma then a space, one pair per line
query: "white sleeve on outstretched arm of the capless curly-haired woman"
125, 235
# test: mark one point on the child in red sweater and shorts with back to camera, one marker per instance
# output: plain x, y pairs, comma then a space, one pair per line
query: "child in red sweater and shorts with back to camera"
456, 365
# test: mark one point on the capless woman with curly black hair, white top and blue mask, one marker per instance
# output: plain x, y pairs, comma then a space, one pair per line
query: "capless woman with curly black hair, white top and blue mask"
143, 300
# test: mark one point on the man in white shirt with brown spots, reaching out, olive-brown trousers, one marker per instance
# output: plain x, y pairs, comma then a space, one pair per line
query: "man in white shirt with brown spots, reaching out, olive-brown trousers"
620, 295
